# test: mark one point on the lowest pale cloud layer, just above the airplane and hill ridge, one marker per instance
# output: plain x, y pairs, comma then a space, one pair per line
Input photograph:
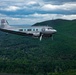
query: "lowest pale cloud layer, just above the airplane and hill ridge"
34, 18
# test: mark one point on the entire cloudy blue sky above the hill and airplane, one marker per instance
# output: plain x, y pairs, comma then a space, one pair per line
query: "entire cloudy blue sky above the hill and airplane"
29, 12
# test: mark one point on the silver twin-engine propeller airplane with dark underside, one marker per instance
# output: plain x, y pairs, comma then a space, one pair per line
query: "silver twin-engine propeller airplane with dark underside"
35, 31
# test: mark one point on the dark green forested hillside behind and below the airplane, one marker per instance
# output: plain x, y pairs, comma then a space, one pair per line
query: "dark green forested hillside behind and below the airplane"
27, 55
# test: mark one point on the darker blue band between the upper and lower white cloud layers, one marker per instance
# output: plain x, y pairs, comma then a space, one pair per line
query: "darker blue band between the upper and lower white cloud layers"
22, 12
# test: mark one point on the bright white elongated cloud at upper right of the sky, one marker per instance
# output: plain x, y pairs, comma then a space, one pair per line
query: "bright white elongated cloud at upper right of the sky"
66, 6
